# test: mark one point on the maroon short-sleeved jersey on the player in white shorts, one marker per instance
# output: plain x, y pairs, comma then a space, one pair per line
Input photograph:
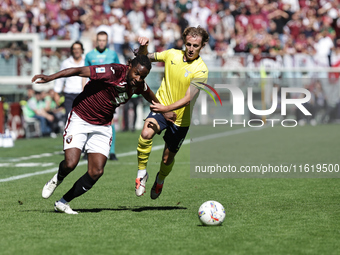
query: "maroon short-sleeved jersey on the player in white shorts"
106, 90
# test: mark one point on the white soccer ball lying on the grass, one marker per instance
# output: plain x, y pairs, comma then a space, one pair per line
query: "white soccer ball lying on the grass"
211, 213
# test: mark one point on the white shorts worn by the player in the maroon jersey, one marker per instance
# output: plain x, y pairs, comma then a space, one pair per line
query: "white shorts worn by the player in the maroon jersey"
96, 138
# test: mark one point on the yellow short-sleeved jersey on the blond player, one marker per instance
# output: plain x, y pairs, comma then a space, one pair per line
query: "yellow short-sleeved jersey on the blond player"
178, 74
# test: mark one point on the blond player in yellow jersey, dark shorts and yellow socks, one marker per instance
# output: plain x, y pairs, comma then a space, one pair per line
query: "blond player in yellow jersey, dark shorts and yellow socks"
183, 68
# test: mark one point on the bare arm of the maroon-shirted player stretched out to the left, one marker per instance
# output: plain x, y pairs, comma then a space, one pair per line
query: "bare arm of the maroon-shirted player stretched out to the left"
83, 71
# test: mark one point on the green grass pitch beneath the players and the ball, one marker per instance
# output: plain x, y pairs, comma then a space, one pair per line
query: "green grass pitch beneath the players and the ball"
263, 215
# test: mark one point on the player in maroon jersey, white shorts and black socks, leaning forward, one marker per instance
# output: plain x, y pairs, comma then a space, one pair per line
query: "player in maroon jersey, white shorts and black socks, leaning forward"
89, 121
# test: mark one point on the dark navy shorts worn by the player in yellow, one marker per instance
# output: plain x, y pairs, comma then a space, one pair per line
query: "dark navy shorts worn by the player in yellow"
174, 135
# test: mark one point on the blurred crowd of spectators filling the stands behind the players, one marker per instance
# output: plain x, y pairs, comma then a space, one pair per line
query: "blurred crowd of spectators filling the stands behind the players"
273, 27
